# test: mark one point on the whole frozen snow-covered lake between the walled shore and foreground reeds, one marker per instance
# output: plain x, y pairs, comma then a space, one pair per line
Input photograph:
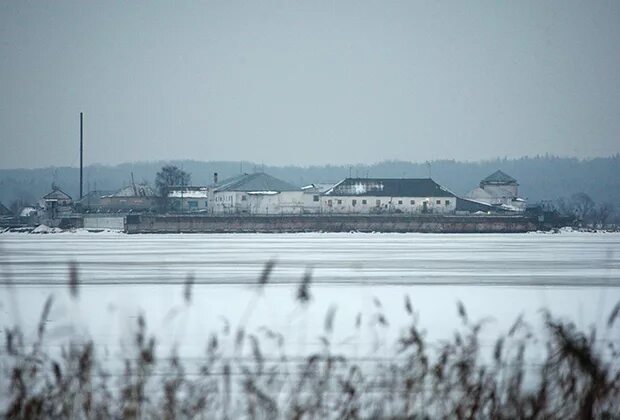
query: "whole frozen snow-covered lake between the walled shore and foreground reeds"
575, 275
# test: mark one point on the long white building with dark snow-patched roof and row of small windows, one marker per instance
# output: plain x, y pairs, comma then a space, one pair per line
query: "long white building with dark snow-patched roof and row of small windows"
388, 195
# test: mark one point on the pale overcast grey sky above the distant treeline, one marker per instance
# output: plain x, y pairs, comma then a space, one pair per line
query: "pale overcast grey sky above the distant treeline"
284, 82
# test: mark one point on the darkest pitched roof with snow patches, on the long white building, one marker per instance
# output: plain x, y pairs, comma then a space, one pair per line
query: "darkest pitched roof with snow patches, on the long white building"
389, 187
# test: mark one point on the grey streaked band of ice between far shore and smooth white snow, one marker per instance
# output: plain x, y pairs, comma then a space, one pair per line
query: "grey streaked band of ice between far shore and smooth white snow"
383, 259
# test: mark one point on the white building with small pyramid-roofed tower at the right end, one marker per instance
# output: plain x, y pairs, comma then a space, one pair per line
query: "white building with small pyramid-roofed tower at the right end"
499, 189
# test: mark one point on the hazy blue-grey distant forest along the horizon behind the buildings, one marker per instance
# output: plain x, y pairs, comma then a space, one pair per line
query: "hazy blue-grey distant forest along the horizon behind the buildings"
541, 178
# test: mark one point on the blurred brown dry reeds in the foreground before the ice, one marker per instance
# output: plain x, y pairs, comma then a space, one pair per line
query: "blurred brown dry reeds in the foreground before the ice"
577, 378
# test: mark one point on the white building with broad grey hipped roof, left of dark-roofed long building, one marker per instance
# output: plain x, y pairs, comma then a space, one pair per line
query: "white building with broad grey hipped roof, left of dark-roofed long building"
255, 194
